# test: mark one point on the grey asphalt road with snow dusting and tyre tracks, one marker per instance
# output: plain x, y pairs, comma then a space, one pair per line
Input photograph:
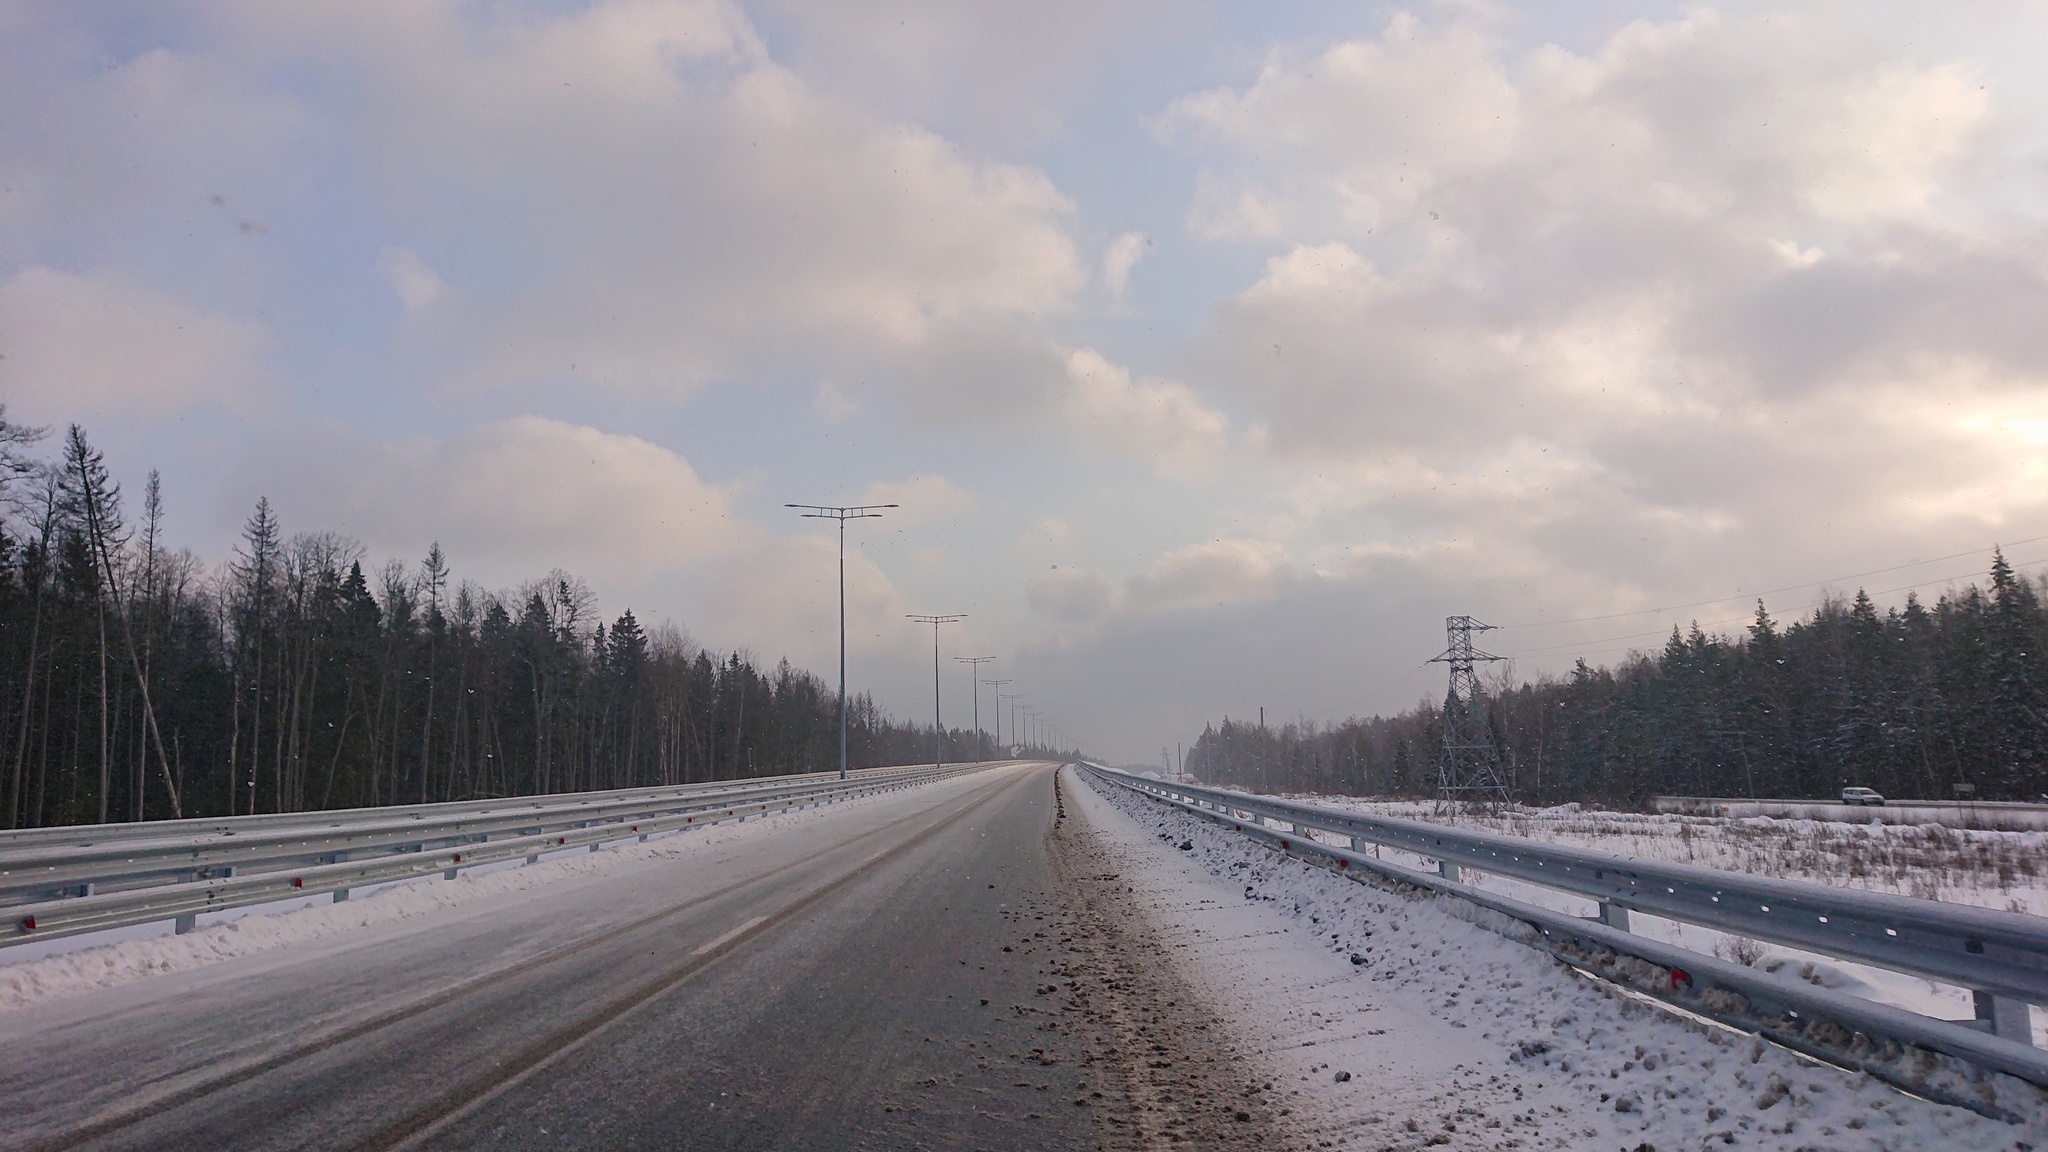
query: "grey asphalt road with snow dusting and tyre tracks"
941, 969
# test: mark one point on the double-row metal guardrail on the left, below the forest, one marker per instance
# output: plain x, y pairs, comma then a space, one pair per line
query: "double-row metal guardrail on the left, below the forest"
58, 882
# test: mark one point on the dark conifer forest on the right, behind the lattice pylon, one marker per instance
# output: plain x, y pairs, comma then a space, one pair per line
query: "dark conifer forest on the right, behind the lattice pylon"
1910, 702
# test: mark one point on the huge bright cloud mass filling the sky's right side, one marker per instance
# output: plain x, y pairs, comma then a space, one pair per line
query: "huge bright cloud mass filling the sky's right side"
1603, 311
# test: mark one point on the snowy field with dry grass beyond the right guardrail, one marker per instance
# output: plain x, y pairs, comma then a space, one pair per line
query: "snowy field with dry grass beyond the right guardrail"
1992, 870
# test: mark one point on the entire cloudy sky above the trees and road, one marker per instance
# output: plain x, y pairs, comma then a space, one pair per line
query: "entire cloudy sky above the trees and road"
1215, 354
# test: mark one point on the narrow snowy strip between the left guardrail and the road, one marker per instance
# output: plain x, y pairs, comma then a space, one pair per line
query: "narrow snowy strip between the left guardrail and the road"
40, 973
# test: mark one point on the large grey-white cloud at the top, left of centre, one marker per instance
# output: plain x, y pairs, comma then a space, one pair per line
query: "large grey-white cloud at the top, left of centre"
689, 204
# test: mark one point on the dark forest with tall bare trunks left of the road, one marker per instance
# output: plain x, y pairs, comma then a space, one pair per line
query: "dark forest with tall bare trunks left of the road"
140, 684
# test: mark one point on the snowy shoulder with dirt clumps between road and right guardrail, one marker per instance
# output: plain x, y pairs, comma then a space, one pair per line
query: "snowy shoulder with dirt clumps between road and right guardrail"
1455, 1036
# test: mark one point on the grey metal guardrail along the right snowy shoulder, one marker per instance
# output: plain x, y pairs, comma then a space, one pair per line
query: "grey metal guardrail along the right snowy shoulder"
1973, 948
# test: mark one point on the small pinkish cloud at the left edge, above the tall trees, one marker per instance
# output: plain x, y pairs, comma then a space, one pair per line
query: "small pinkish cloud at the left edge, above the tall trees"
85, 345
